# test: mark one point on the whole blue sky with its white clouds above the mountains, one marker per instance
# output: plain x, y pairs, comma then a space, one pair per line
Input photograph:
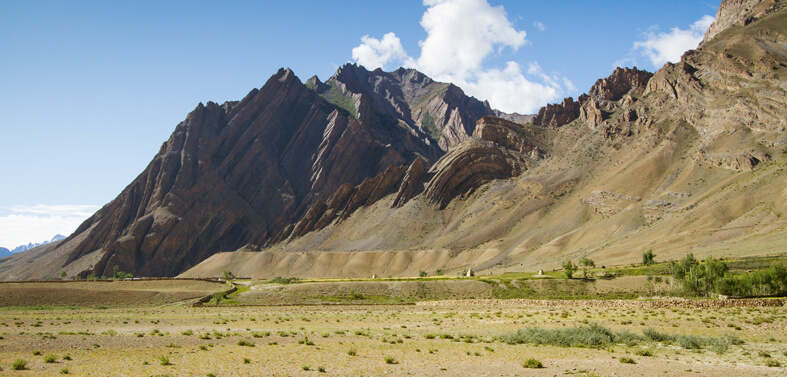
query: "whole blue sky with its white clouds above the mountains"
90, 89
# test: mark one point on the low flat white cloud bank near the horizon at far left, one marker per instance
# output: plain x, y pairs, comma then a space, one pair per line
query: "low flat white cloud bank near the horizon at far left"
23, 224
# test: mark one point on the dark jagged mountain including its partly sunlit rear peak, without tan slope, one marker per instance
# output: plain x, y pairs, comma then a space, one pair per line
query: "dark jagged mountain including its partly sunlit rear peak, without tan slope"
252, 172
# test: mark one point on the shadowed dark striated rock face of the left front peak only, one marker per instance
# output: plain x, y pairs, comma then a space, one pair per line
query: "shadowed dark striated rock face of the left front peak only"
243, 172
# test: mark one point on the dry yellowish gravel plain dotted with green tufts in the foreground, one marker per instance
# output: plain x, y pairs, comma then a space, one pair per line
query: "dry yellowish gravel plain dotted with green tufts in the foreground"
445, 338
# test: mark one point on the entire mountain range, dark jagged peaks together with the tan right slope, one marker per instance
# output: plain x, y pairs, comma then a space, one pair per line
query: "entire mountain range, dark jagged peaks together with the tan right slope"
392, 173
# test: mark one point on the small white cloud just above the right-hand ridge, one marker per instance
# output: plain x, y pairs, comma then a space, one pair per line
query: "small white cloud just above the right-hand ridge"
661, 48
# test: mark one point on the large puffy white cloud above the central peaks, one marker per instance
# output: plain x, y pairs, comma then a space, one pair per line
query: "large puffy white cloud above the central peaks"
461, 36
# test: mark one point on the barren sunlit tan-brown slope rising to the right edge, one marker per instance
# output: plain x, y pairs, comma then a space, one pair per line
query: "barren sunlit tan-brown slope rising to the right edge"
691, 159
